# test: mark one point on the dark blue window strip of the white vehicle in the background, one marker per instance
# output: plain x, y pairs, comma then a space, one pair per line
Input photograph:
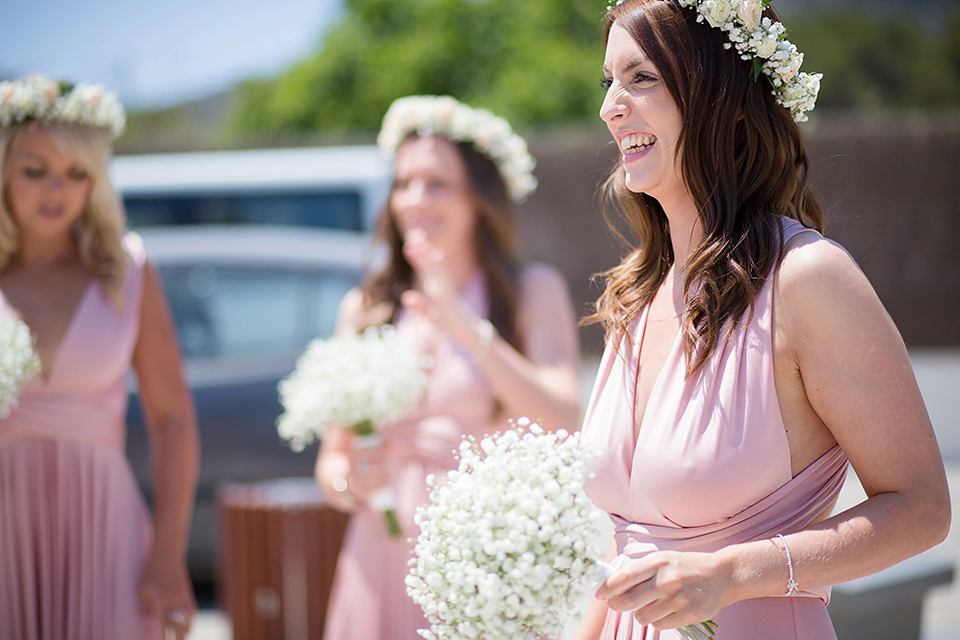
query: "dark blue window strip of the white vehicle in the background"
330, 210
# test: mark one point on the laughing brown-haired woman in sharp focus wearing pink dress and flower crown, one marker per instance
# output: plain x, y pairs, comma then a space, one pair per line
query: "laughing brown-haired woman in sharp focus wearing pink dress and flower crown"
748, 359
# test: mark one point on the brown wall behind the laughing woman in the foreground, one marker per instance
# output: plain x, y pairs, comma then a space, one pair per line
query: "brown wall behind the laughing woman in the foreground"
890, 187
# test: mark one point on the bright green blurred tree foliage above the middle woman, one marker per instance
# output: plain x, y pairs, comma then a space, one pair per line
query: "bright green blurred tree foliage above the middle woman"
531, 62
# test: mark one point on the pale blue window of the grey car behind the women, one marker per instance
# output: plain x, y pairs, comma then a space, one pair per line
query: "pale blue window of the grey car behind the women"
225, 311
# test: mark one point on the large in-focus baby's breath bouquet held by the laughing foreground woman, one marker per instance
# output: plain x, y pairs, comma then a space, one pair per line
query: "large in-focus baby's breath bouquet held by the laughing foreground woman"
509, 538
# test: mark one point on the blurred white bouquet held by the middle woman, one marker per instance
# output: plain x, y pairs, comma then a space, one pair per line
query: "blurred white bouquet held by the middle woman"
357, 381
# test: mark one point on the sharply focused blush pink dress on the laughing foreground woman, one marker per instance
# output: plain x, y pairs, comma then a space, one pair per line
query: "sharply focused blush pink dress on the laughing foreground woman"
710, 467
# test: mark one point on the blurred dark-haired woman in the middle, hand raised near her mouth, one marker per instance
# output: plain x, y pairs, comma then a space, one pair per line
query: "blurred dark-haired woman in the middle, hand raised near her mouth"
501, 336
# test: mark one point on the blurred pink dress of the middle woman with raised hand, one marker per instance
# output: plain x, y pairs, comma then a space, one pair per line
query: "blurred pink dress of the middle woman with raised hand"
369, 598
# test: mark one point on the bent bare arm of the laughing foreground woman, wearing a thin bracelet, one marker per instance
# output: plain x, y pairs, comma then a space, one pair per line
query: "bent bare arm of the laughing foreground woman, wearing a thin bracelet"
857, 378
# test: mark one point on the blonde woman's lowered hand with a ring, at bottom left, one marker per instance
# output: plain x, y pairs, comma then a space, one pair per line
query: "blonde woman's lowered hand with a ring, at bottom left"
165, 590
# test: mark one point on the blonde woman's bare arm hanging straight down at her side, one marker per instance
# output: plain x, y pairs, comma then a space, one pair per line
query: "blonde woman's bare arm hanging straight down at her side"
170, 417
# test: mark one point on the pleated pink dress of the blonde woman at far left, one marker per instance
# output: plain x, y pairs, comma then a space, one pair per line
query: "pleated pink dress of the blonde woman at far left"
74, 529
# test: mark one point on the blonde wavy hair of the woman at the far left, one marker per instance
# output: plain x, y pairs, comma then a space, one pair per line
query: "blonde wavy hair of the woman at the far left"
99, 230
